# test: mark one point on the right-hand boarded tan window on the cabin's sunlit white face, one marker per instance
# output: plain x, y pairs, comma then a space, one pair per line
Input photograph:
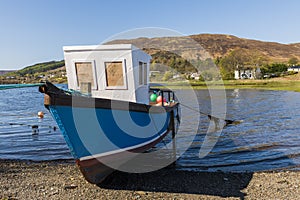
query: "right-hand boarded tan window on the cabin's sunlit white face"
115, 75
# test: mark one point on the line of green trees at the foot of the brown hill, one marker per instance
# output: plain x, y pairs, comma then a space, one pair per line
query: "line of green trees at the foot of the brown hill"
237, 59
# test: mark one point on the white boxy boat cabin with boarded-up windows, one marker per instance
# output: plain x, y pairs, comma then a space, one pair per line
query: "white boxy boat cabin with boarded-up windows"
118, 71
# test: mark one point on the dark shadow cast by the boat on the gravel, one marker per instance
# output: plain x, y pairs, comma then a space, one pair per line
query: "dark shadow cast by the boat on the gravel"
188, 182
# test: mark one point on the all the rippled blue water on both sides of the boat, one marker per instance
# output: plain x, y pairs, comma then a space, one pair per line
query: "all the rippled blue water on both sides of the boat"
268, 138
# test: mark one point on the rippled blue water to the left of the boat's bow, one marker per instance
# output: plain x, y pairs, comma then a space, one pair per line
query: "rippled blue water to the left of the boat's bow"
18, 142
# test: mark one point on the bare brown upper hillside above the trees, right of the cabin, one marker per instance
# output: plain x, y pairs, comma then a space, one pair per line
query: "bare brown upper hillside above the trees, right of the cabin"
216, 45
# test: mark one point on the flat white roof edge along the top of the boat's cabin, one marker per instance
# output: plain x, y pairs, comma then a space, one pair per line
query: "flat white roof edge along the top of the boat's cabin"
100, 47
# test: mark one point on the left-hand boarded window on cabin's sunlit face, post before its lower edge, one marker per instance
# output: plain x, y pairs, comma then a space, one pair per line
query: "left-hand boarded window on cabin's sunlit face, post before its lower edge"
85, 74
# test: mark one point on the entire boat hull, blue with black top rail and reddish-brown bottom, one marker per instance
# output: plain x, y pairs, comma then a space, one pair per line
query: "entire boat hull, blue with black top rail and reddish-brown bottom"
101, 132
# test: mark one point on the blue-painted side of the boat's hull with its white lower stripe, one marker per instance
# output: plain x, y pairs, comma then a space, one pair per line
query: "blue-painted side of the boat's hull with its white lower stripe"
92, 132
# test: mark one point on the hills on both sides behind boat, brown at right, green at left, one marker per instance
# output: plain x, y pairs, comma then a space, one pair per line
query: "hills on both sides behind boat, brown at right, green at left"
175, 52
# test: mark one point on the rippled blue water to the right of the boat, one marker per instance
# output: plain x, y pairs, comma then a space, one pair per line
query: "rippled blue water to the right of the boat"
268, 138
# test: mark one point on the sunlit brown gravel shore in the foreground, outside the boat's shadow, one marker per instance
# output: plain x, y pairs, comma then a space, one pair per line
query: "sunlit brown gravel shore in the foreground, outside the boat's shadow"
63, 180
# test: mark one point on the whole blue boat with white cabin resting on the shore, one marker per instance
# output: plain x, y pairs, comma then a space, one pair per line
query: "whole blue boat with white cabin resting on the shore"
109, 113
